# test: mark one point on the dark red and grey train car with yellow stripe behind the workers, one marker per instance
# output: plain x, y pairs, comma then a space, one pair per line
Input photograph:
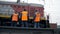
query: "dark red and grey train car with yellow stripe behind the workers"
7, 9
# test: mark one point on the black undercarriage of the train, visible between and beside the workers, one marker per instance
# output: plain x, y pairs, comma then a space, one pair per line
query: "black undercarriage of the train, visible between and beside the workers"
8, 22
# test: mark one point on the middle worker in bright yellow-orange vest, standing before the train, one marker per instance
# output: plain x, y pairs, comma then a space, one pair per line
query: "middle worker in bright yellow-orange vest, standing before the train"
24, 18
